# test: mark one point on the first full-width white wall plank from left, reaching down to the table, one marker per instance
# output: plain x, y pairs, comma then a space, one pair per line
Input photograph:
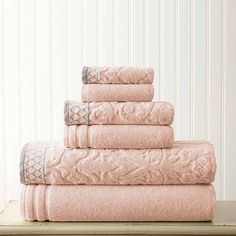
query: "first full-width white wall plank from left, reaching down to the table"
11, 93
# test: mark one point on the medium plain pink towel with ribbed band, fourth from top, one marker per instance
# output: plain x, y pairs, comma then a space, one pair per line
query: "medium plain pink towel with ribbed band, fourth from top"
118, 136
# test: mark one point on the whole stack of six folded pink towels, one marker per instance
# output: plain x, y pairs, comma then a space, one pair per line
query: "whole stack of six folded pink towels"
119, 161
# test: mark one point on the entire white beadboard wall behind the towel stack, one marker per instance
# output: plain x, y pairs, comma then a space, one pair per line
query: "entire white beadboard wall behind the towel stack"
44, 44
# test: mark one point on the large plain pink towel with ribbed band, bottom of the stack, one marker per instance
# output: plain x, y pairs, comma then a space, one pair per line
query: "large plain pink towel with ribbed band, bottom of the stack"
118, 203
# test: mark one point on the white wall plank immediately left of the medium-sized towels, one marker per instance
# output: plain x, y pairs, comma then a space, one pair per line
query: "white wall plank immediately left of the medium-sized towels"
59, 65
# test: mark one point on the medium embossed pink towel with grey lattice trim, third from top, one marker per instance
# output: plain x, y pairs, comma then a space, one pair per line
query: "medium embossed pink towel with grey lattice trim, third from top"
125, 113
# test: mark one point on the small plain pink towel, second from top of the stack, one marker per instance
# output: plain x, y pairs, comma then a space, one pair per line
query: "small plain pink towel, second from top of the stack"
117, 92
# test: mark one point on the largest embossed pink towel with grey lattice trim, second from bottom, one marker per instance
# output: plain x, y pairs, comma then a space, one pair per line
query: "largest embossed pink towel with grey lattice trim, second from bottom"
52, 163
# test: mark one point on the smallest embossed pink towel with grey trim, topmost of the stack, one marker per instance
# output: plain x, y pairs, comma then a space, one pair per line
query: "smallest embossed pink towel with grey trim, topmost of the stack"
117, 75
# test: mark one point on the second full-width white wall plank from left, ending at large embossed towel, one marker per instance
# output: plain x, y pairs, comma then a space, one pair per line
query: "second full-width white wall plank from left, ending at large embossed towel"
27, 70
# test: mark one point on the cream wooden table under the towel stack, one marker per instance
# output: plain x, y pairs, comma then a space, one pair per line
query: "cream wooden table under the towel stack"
224, 224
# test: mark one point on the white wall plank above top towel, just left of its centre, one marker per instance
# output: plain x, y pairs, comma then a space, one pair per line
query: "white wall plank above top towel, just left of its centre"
106, 32
